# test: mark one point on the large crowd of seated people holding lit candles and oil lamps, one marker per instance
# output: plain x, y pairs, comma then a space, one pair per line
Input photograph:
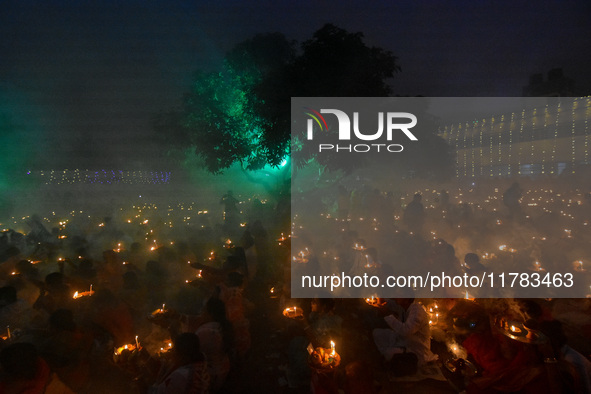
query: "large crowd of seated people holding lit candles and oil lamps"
133, 304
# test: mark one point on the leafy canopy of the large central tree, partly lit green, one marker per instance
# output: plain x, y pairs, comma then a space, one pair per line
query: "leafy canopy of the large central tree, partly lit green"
241, 112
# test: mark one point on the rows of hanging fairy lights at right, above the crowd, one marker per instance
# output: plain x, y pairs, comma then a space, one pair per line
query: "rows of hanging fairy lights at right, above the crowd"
546, 140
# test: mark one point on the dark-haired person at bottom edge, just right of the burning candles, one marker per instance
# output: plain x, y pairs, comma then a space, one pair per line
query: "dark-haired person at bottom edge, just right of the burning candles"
188, 372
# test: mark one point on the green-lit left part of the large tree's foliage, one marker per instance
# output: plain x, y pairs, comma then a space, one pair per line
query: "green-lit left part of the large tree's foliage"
220, 119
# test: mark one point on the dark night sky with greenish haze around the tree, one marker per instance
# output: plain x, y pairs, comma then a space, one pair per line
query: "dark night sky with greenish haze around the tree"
83, 78
